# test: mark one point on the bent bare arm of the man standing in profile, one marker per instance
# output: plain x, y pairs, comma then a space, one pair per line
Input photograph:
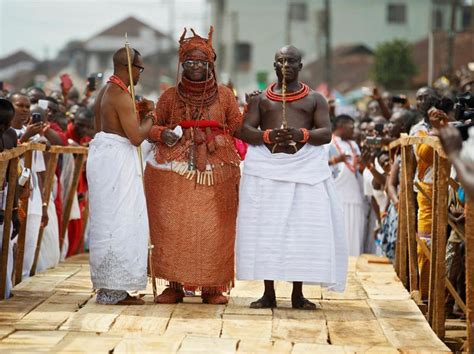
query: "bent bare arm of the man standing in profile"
135, 132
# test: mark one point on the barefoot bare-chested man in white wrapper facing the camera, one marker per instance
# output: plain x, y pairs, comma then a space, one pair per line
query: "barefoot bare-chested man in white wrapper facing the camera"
290, 222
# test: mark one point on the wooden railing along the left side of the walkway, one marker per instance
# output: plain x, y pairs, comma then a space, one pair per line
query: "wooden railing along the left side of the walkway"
9, 160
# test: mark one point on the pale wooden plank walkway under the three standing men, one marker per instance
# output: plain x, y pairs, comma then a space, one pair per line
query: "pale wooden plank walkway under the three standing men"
56, 311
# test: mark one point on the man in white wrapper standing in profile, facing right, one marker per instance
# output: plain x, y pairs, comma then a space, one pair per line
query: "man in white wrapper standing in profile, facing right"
118, 215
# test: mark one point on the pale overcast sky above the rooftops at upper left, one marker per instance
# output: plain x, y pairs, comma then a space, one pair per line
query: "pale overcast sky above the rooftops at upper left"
43, 27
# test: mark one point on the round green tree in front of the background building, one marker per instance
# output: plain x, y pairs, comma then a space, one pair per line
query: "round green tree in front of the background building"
393, 67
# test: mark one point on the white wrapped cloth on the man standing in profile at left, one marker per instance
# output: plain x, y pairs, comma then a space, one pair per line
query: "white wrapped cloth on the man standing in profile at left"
118, 215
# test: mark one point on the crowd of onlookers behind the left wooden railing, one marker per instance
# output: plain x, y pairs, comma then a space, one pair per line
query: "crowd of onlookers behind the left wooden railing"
56, 118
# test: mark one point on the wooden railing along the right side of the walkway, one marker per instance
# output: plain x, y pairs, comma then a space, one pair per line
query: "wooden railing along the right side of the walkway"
406, 262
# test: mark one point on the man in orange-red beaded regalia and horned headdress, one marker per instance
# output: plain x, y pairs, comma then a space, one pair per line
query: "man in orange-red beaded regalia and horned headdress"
191, 182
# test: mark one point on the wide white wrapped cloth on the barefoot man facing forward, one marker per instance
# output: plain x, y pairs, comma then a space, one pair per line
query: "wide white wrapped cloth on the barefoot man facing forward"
290, 224
